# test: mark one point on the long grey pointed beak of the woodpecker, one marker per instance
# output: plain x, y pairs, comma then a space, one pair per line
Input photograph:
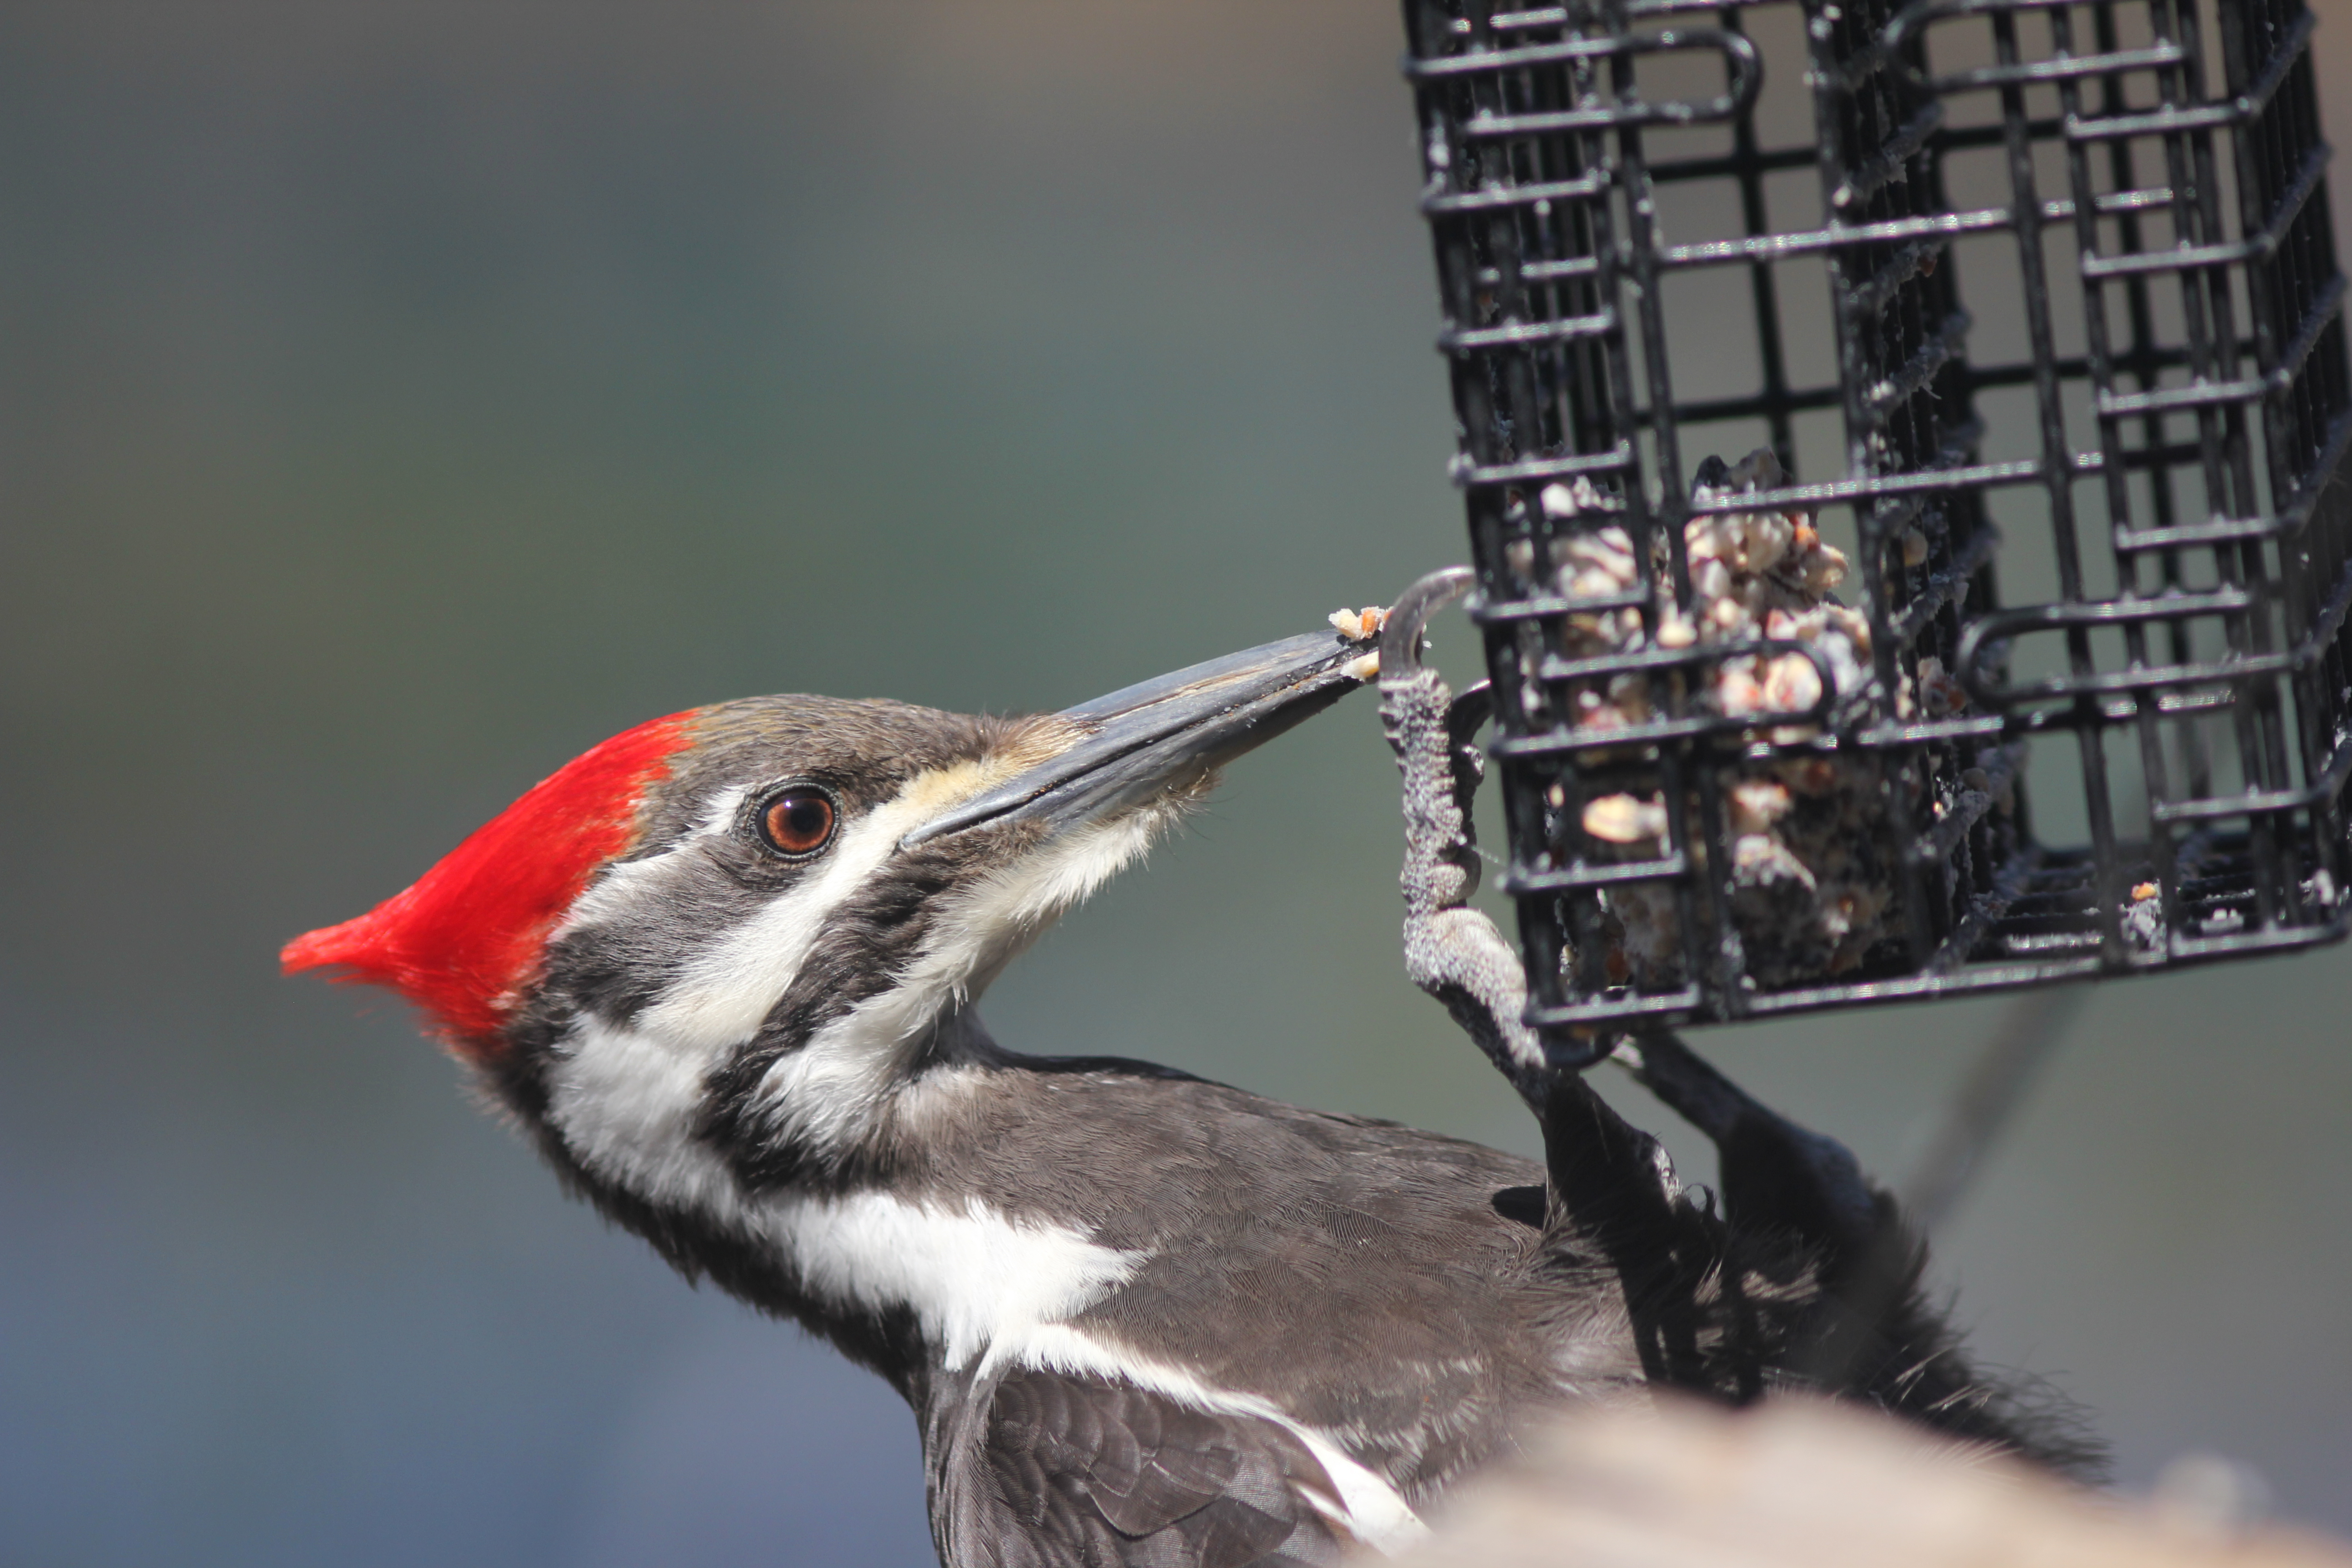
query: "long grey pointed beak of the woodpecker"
1144, 739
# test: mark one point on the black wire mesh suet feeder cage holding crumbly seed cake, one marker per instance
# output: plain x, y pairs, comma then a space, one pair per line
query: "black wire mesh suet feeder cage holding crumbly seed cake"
1953, 286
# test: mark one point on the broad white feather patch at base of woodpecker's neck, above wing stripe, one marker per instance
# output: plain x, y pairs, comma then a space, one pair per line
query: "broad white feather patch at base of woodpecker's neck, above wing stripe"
970, 1275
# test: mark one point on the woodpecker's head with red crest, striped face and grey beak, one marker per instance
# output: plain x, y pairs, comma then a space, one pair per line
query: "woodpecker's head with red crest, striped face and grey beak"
726, 949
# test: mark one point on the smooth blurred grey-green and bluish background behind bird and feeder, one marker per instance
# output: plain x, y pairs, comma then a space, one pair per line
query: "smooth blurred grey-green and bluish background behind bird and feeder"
399, 398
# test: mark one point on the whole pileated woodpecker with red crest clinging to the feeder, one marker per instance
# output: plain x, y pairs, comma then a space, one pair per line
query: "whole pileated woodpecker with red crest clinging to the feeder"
723, 970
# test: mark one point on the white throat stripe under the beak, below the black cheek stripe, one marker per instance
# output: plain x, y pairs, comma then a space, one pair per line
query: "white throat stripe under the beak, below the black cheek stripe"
836, 1085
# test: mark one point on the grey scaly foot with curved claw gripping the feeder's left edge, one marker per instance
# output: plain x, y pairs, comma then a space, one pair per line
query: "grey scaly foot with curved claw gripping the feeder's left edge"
1452, 951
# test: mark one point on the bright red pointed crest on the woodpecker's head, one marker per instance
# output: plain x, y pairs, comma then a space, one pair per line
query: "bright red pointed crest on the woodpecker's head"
467, 937
